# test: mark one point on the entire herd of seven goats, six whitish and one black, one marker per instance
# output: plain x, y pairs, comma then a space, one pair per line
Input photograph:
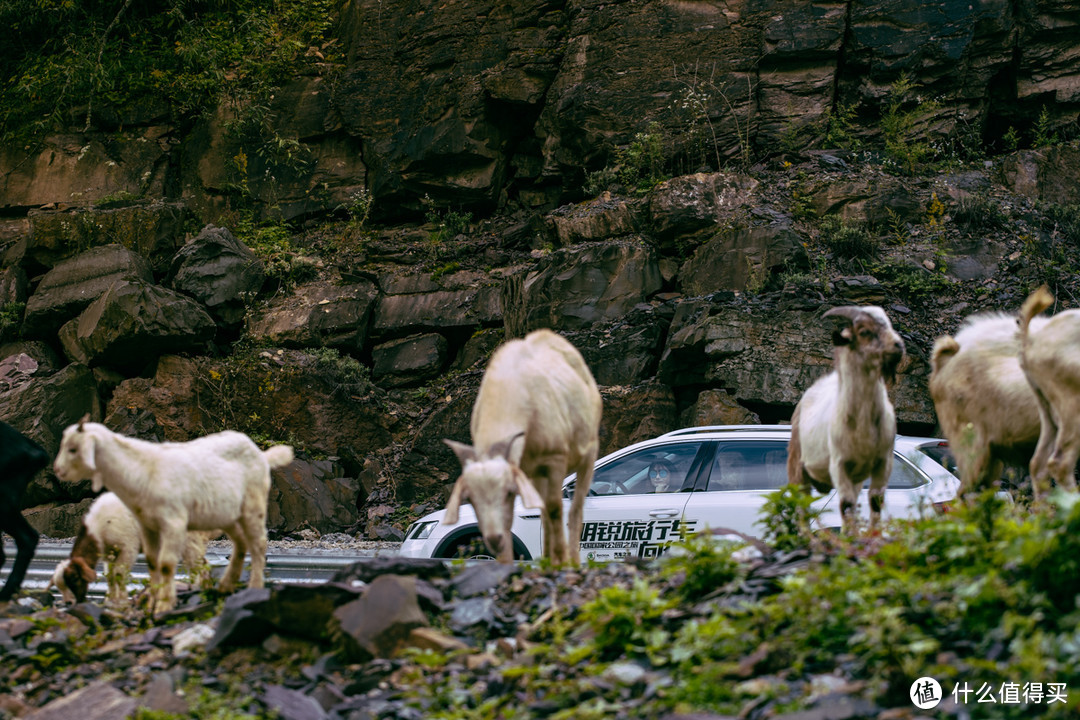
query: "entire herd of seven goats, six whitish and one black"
1006, 389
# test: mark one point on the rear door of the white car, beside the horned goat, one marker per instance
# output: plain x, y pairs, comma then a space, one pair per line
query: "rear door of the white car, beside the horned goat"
731, 495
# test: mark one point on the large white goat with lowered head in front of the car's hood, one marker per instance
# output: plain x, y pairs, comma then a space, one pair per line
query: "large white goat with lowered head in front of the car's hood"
536, 418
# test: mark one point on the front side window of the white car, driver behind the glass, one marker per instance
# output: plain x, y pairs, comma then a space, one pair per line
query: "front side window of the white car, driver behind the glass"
659, 469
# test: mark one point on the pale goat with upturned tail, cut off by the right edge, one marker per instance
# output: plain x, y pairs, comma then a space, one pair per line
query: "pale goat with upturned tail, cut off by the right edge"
1050, 359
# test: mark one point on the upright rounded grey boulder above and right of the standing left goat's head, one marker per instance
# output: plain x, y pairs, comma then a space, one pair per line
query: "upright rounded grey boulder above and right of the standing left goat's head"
219, 271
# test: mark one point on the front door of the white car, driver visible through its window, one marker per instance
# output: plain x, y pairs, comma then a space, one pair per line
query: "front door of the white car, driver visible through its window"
626, 517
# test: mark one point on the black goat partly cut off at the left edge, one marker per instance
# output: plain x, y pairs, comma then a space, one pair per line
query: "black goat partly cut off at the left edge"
21, 459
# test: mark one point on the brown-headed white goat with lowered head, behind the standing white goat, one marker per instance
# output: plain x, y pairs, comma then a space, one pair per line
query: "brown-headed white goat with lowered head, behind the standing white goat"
110, 532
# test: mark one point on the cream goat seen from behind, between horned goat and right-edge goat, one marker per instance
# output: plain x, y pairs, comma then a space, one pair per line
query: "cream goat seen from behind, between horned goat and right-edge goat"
984, 403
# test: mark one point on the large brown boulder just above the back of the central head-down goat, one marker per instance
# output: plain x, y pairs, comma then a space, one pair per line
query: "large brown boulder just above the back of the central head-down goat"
574, 288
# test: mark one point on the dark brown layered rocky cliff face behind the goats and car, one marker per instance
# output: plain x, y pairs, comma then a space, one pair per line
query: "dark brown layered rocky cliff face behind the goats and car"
695, 301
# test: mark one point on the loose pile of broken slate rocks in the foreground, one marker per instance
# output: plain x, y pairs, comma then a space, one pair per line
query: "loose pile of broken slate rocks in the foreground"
373, 643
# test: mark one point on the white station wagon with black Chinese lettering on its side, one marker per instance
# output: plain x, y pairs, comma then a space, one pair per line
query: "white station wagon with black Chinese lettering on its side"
644, 496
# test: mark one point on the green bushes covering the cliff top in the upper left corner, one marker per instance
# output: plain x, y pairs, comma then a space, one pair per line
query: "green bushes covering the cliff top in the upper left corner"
67, 62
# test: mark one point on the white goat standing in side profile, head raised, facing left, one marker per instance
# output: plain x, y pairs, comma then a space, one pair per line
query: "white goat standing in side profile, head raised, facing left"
218, 482
